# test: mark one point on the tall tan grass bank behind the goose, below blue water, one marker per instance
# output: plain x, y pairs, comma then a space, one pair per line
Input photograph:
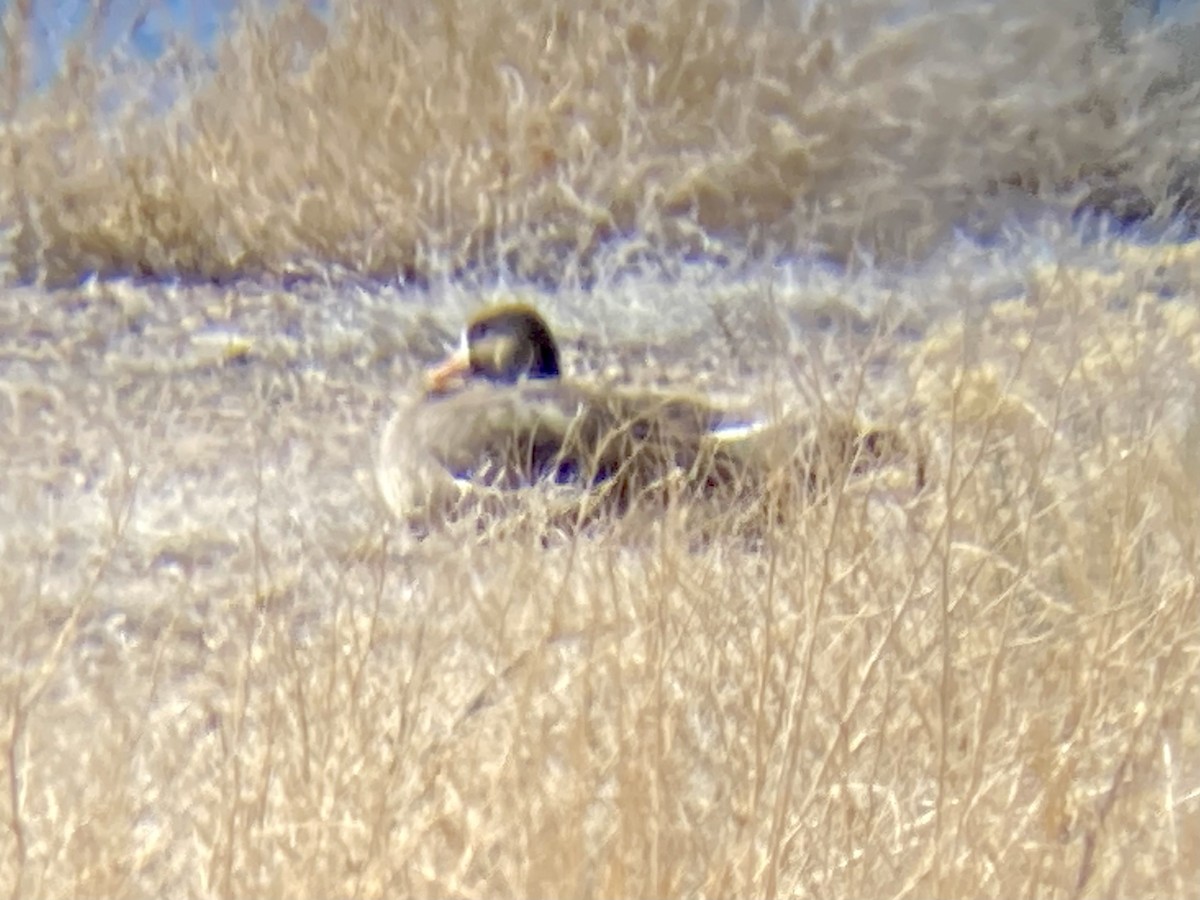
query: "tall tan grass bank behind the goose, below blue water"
418, 140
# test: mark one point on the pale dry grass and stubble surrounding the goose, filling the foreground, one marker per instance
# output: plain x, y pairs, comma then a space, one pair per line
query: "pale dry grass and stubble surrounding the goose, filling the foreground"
227, 673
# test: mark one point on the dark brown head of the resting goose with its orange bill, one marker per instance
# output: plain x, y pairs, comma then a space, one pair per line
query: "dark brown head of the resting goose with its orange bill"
502, 345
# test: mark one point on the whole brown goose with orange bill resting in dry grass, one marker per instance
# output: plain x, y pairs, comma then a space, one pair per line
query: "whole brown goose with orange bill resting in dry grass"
499, 416
